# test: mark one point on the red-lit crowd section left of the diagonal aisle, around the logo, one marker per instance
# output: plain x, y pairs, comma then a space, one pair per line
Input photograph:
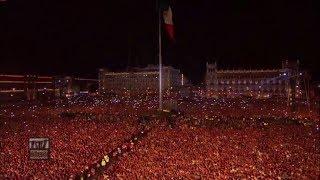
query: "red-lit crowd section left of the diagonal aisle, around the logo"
75, 141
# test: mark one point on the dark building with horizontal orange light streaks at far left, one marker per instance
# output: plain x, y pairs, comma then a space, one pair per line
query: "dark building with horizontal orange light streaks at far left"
34, 87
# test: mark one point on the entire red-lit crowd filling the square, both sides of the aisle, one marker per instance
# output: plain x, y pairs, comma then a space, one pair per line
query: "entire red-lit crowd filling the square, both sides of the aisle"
206, 139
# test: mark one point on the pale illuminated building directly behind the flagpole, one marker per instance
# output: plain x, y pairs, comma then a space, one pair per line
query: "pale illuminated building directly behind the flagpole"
139, 80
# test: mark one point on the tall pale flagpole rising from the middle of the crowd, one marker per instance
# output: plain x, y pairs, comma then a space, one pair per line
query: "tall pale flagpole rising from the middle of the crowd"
160, 56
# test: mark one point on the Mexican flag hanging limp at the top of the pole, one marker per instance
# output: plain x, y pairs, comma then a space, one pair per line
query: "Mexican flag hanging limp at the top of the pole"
167, 18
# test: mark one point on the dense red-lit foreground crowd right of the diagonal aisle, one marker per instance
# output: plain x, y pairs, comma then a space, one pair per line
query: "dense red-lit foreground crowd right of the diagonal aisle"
192, 152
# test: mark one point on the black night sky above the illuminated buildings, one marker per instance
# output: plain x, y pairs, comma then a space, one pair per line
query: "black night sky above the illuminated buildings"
78, 37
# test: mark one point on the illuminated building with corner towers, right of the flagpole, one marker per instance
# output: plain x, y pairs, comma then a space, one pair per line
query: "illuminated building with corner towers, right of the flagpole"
259, 83
